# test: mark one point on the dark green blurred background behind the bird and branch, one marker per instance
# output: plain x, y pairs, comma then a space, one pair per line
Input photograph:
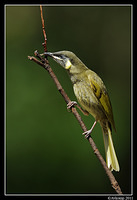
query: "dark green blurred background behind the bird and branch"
45, 149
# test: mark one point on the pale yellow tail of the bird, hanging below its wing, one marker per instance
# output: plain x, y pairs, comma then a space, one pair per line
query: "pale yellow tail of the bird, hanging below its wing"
111, 158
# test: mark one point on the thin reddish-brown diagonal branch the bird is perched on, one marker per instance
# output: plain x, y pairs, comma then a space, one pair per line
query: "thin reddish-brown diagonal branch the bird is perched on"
45, 64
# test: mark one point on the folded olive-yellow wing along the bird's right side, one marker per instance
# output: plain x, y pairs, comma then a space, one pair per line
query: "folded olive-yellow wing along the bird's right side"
101, 94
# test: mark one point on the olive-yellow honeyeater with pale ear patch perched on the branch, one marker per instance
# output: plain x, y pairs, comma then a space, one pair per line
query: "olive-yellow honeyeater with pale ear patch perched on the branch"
92, 95
